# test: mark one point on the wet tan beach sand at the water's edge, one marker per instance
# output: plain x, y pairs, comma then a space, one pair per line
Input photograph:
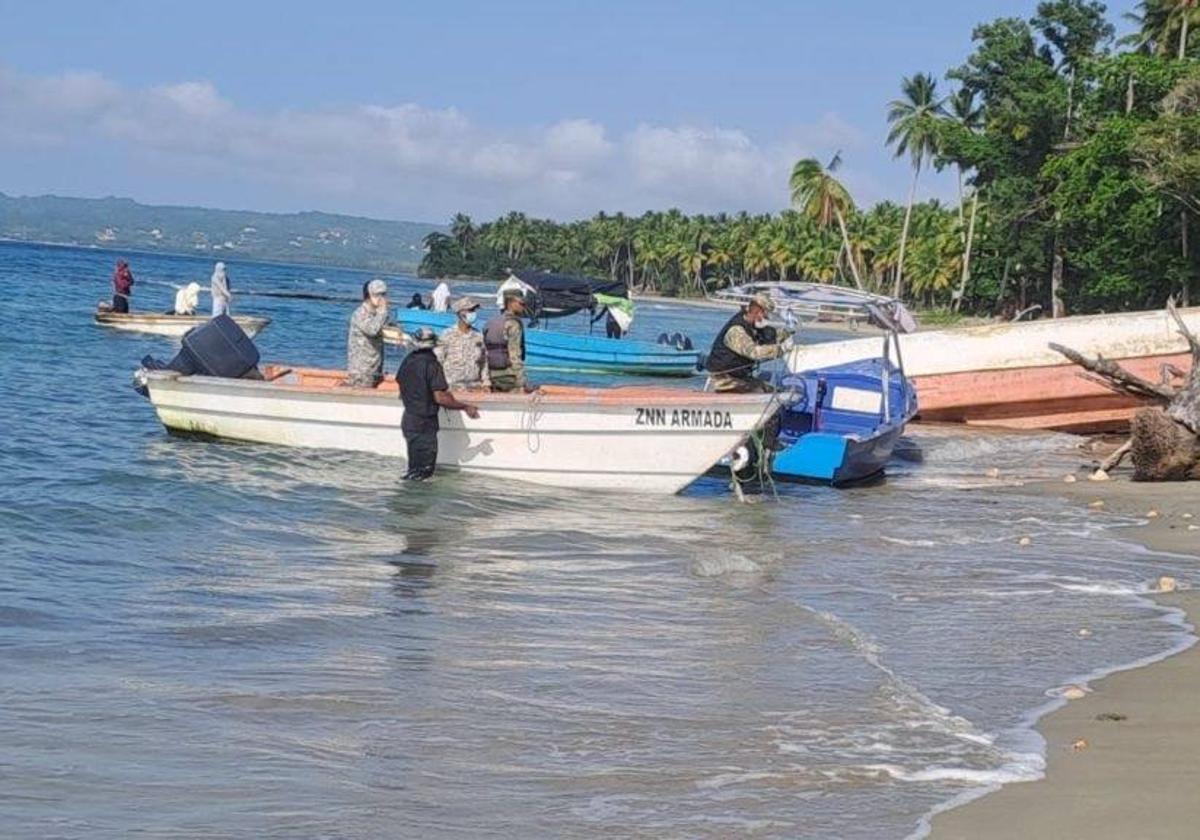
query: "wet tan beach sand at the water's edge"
1124, 761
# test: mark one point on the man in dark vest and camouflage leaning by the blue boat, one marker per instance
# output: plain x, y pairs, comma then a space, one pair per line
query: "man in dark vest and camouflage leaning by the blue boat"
742, 344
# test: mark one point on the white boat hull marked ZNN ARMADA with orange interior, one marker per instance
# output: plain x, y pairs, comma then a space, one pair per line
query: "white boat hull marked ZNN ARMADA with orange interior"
645, 440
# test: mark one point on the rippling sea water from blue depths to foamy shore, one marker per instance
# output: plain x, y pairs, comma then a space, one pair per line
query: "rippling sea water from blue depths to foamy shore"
203, 639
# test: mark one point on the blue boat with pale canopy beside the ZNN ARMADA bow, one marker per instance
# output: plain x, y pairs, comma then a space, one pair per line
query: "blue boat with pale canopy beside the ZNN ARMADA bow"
839, 425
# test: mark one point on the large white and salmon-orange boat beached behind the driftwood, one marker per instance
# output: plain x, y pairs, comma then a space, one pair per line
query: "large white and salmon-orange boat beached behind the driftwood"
1006, 375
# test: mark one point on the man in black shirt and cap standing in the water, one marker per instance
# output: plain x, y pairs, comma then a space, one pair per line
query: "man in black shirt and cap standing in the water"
424, 391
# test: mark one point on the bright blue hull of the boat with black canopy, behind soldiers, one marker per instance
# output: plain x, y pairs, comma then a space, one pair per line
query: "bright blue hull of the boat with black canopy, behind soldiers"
585, 355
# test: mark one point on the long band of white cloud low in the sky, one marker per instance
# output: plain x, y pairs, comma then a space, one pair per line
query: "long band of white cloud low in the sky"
400, 160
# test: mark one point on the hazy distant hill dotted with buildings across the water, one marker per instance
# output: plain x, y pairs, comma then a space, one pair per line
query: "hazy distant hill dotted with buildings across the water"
314, 238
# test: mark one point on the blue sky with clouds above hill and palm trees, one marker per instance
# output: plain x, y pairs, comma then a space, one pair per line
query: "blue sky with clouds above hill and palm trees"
417, 111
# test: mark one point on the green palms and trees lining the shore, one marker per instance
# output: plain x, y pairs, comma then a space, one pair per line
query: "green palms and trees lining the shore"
1078, 163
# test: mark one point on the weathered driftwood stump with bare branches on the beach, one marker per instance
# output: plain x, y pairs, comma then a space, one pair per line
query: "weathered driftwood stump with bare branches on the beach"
1165, 437
